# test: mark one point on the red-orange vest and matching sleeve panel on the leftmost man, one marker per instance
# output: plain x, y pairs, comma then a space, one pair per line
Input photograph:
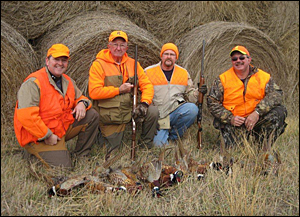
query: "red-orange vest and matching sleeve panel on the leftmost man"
54, 110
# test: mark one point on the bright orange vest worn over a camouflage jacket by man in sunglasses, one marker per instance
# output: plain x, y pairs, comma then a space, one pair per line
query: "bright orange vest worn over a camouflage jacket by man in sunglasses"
237, 99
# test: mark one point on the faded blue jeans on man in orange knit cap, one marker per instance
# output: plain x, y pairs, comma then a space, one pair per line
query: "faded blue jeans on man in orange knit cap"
180, 120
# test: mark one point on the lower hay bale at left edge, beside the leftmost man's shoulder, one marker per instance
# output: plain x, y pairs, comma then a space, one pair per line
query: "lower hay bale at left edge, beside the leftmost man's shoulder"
18, 60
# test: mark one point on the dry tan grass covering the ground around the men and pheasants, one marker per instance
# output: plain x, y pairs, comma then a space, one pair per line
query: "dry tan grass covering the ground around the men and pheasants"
245, 193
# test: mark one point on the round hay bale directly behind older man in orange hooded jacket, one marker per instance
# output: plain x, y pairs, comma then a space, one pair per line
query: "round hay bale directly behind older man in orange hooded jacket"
87, 34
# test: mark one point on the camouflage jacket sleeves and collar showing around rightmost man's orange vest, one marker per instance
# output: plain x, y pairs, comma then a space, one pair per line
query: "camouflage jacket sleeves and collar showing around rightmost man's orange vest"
273, 97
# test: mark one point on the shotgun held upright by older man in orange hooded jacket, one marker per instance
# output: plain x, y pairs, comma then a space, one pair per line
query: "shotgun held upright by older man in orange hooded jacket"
134, 105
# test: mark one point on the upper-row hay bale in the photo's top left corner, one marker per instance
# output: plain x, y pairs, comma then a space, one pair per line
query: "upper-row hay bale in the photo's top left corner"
33, 18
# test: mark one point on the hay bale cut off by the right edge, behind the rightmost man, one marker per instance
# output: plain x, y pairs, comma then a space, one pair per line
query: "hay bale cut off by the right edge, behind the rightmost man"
284, 30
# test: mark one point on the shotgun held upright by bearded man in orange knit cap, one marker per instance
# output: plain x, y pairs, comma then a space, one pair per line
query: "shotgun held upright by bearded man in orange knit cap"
200, 100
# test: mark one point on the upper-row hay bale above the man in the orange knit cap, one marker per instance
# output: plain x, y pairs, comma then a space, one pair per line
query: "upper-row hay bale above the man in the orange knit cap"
173, 19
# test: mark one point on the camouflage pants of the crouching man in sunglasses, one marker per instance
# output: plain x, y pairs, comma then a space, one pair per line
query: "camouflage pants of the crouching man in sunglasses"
269, 127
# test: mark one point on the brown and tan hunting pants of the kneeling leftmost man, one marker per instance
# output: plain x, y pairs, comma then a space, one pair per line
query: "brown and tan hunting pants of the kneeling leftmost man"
58, 155
